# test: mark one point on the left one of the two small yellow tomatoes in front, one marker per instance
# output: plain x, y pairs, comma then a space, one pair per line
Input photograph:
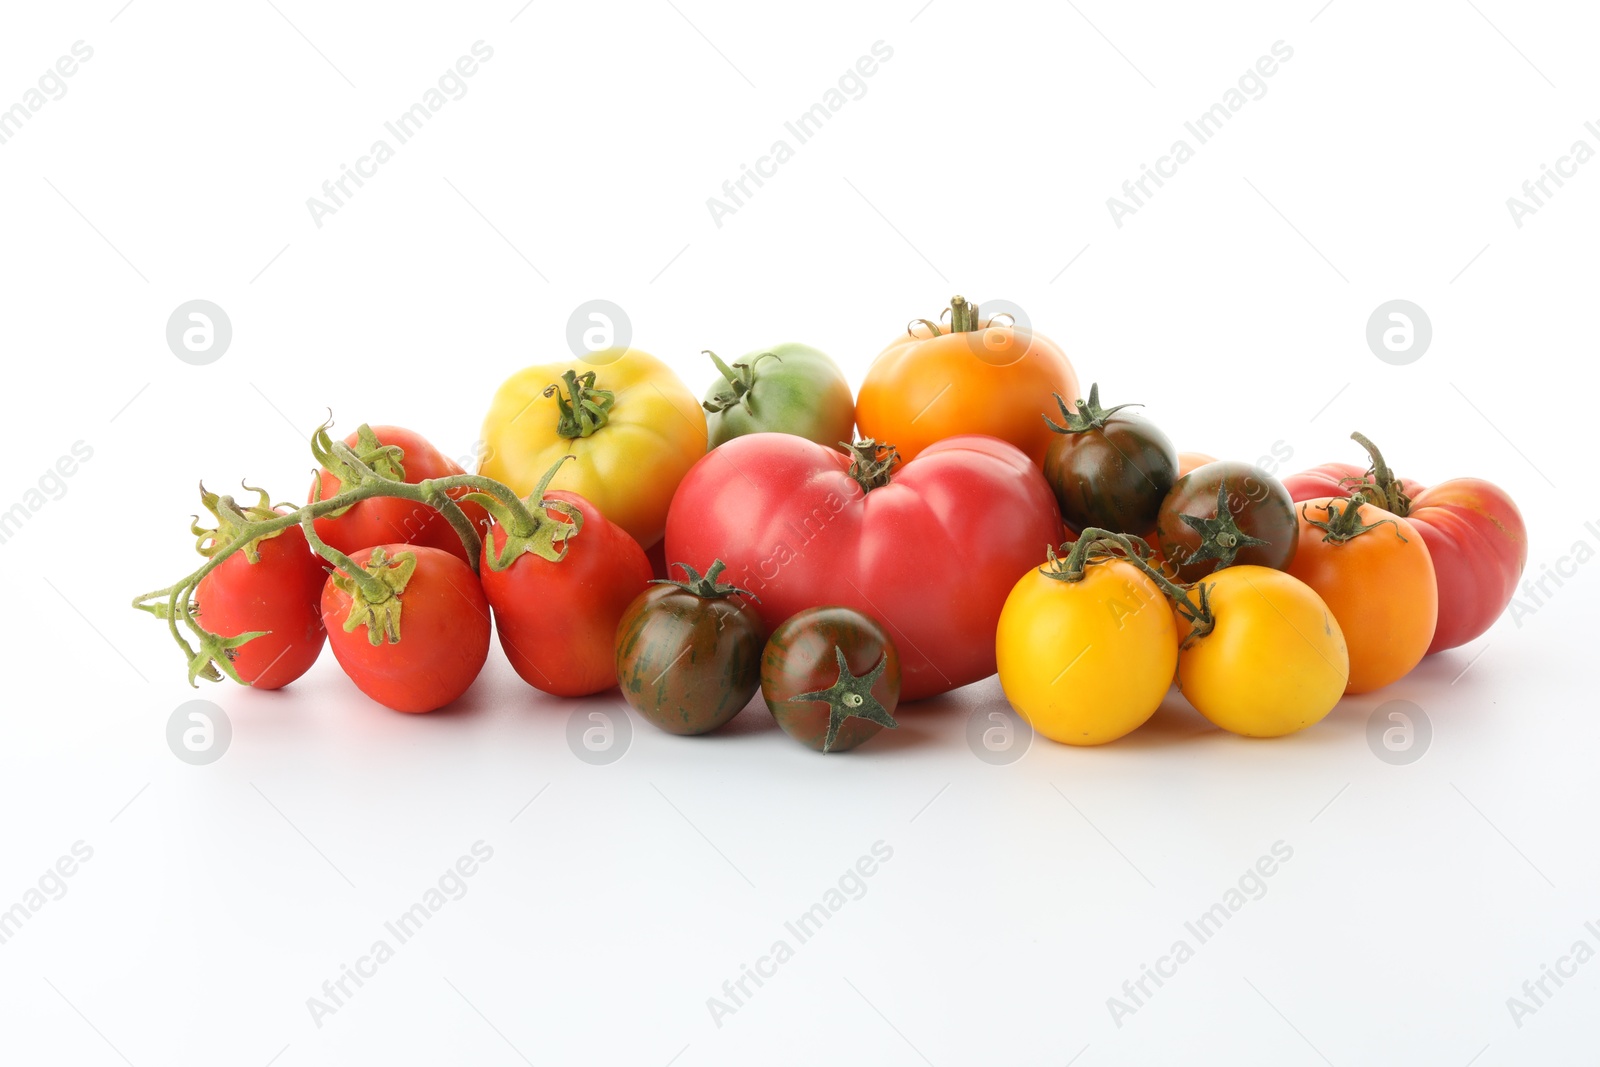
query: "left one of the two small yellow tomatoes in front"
1087, 661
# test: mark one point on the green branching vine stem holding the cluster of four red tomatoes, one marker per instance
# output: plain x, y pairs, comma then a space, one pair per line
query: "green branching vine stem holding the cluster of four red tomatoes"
362, 476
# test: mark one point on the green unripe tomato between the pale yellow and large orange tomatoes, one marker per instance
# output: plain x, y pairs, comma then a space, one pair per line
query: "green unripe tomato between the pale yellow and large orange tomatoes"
786, 390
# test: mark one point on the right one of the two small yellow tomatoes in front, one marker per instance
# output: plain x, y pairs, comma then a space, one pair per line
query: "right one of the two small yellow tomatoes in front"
1274, 661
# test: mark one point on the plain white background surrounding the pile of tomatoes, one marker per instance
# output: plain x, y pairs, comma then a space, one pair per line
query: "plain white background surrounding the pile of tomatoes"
578, 167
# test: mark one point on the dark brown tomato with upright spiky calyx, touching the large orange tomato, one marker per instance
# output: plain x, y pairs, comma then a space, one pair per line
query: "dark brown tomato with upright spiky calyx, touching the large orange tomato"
1110, 468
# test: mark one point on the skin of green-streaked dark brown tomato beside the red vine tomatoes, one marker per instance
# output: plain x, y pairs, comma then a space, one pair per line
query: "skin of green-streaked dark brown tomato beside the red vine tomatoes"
687, 663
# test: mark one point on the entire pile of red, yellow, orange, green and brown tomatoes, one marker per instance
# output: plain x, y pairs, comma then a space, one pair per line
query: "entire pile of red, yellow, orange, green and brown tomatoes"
622, 533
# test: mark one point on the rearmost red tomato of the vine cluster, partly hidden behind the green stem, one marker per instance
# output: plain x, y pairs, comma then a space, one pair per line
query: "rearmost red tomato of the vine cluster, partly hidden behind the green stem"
391, 521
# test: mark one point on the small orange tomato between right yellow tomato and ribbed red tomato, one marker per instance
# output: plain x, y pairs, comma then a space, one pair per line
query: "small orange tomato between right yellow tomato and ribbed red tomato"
1378, 586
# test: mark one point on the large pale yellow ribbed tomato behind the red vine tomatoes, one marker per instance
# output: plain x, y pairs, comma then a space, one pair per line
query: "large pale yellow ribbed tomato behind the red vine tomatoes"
633, 426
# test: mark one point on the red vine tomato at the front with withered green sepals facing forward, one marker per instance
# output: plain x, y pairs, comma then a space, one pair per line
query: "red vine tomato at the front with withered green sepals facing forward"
409, 625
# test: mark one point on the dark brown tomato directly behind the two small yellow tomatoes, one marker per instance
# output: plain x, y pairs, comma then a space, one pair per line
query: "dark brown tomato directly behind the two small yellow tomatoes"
1223, 514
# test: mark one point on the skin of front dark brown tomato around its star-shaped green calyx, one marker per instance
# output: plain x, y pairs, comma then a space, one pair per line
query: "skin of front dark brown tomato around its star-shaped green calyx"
799, 658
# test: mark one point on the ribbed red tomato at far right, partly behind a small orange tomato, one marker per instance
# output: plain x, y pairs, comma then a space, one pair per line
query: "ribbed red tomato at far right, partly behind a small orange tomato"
1473, 529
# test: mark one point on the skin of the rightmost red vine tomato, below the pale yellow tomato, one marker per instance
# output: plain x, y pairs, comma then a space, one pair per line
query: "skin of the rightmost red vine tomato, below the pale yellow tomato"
558, 618
